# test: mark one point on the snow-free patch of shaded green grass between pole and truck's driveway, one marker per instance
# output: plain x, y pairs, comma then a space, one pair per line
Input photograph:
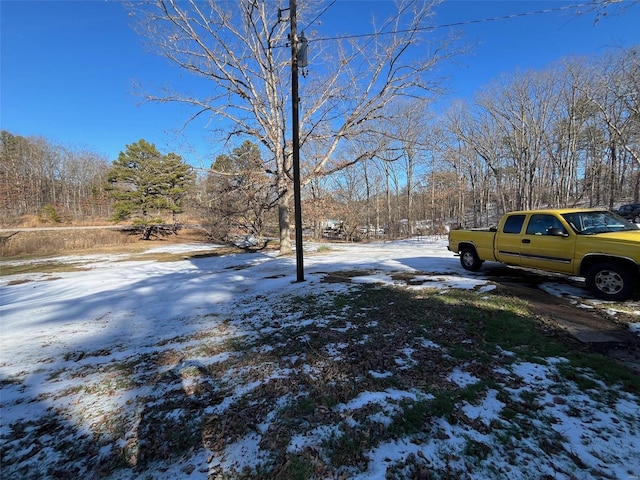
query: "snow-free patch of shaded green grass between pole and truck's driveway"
472, 327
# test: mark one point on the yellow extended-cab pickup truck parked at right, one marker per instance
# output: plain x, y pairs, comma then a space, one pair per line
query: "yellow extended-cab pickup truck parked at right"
596, 244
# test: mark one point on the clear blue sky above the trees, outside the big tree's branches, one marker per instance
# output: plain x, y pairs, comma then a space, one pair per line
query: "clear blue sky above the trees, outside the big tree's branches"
68, 67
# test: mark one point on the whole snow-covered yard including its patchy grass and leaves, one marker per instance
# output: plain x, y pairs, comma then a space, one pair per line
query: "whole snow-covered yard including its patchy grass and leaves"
225, 367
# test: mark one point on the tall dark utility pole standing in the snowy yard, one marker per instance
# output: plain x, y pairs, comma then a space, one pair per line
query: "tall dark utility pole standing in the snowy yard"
296, 141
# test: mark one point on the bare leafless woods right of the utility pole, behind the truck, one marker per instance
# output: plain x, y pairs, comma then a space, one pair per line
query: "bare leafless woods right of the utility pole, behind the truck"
565, 136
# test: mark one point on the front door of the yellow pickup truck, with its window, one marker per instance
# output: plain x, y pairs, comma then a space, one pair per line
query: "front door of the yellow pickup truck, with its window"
546, 244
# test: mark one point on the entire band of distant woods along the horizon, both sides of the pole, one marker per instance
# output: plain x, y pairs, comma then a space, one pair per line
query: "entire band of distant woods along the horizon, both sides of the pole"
567, 135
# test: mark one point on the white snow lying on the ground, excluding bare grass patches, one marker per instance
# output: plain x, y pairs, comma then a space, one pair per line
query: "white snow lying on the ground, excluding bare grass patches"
64, 332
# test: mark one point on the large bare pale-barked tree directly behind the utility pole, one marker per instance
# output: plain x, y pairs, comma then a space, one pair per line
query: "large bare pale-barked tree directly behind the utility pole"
237, 50
